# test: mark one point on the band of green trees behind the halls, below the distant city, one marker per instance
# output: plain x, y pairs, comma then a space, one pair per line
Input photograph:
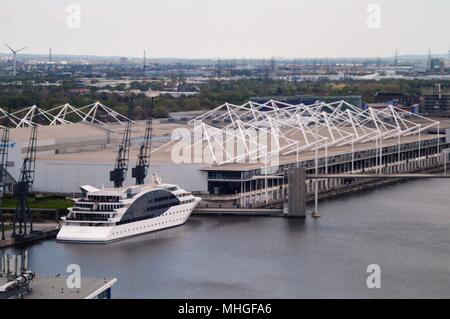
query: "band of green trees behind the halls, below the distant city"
212, 94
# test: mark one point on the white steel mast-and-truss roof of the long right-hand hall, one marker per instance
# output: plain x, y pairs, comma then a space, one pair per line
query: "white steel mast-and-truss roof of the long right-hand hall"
293, 129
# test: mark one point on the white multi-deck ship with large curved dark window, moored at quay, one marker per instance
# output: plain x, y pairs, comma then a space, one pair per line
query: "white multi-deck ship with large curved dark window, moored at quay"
106, 215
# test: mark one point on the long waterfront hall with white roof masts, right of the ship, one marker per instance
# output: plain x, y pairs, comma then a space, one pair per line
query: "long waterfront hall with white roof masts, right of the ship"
323, 137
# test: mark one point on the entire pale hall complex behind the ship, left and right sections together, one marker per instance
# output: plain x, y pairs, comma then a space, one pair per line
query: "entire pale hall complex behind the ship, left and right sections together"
322, 137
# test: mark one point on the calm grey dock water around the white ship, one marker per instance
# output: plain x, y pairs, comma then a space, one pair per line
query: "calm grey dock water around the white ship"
404, 228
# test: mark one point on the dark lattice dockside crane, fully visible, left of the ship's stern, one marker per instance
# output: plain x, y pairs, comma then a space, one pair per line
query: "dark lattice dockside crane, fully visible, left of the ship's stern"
23, 214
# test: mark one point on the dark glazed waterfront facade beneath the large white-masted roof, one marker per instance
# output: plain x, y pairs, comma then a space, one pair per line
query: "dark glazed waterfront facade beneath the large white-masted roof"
407, 156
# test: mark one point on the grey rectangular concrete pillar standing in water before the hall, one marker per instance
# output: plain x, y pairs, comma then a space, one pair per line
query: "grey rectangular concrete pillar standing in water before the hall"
297, 192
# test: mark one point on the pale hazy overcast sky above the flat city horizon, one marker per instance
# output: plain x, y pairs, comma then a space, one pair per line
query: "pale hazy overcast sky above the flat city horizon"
227, 28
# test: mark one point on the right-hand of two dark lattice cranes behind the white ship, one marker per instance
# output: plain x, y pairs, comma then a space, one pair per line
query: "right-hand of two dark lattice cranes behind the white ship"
143, 161
